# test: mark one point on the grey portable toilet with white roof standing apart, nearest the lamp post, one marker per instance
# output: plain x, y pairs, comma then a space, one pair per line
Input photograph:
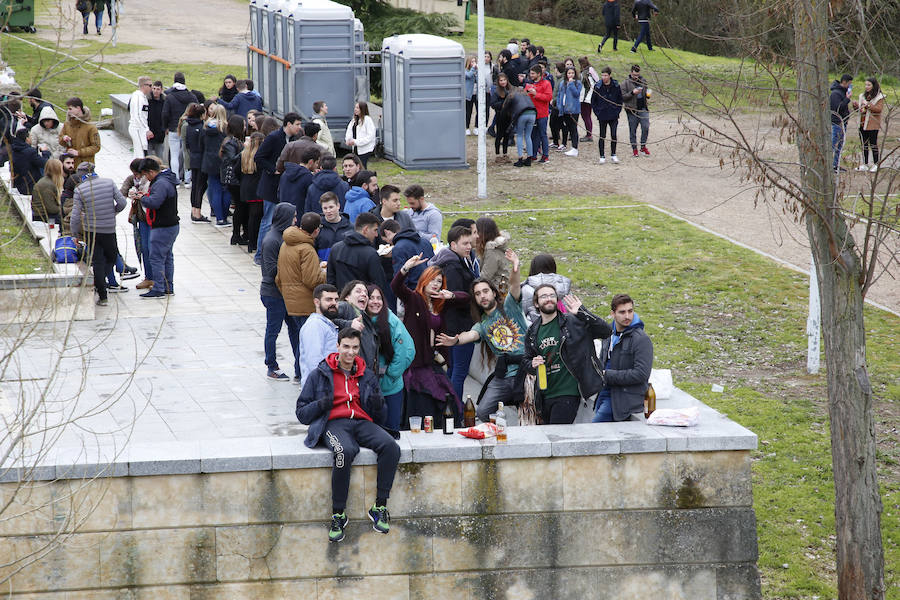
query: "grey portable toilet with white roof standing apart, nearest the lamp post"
425, 90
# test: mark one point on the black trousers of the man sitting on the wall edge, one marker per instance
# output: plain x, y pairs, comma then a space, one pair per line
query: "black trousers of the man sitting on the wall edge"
344, 437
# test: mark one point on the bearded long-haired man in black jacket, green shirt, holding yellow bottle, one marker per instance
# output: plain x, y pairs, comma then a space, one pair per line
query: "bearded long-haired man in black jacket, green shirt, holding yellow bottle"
563, 343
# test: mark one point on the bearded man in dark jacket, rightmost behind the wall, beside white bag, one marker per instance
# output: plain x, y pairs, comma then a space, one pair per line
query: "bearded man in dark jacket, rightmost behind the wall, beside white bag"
627, 359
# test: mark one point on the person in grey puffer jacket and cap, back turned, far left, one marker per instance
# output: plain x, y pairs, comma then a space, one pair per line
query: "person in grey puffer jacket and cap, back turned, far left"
97, 200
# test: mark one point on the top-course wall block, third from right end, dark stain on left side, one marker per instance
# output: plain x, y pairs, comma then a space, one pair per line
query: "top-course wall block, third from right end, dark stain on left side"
517, 486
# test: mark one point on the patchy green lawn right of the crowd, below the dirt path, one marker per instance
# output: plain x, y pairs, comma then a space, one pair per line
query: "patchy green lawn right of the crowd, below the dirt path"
720, 313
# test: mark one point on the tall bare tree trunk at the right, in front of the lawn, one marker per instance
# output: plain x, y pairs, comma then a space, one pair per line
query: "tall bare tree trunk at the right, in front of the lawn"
857, 507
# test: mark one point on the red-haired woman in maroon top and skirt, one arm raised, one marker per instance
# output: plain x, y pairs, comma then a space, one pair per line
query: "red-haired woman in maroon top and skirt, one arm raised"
426, 382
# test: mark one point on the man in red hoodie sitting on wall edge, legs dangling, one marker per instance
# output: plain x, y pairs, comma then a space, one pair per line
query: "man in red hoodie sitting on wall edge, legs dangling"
341, 402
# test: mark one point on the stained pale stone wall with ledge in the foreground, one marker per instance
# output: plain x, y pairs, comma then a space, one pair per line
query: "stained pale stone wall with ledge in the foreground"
591, 513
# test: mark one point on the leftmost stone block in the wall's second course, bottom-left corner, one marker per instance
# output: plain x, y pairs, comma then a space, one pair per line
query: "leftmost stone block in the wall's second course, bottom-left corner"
73, 565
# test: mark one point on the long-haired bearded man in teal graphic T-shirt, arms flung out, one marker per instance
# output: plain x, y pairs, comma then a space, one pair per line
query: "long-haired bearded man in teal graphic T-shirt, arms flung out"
502, 328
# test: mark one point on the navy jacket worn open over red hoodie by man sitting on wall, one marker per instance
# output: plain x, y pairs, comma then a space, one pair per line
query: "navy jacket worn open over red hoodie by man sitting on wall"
317, 398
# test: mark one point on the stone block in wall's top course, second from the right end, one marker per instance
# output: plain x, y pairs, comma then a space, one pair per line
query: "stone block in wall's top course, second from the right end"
622, 481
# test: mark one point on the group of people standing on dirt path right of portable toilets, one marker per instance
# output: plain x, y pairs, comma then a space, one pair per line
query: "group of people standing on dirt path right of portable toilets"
530, 97
